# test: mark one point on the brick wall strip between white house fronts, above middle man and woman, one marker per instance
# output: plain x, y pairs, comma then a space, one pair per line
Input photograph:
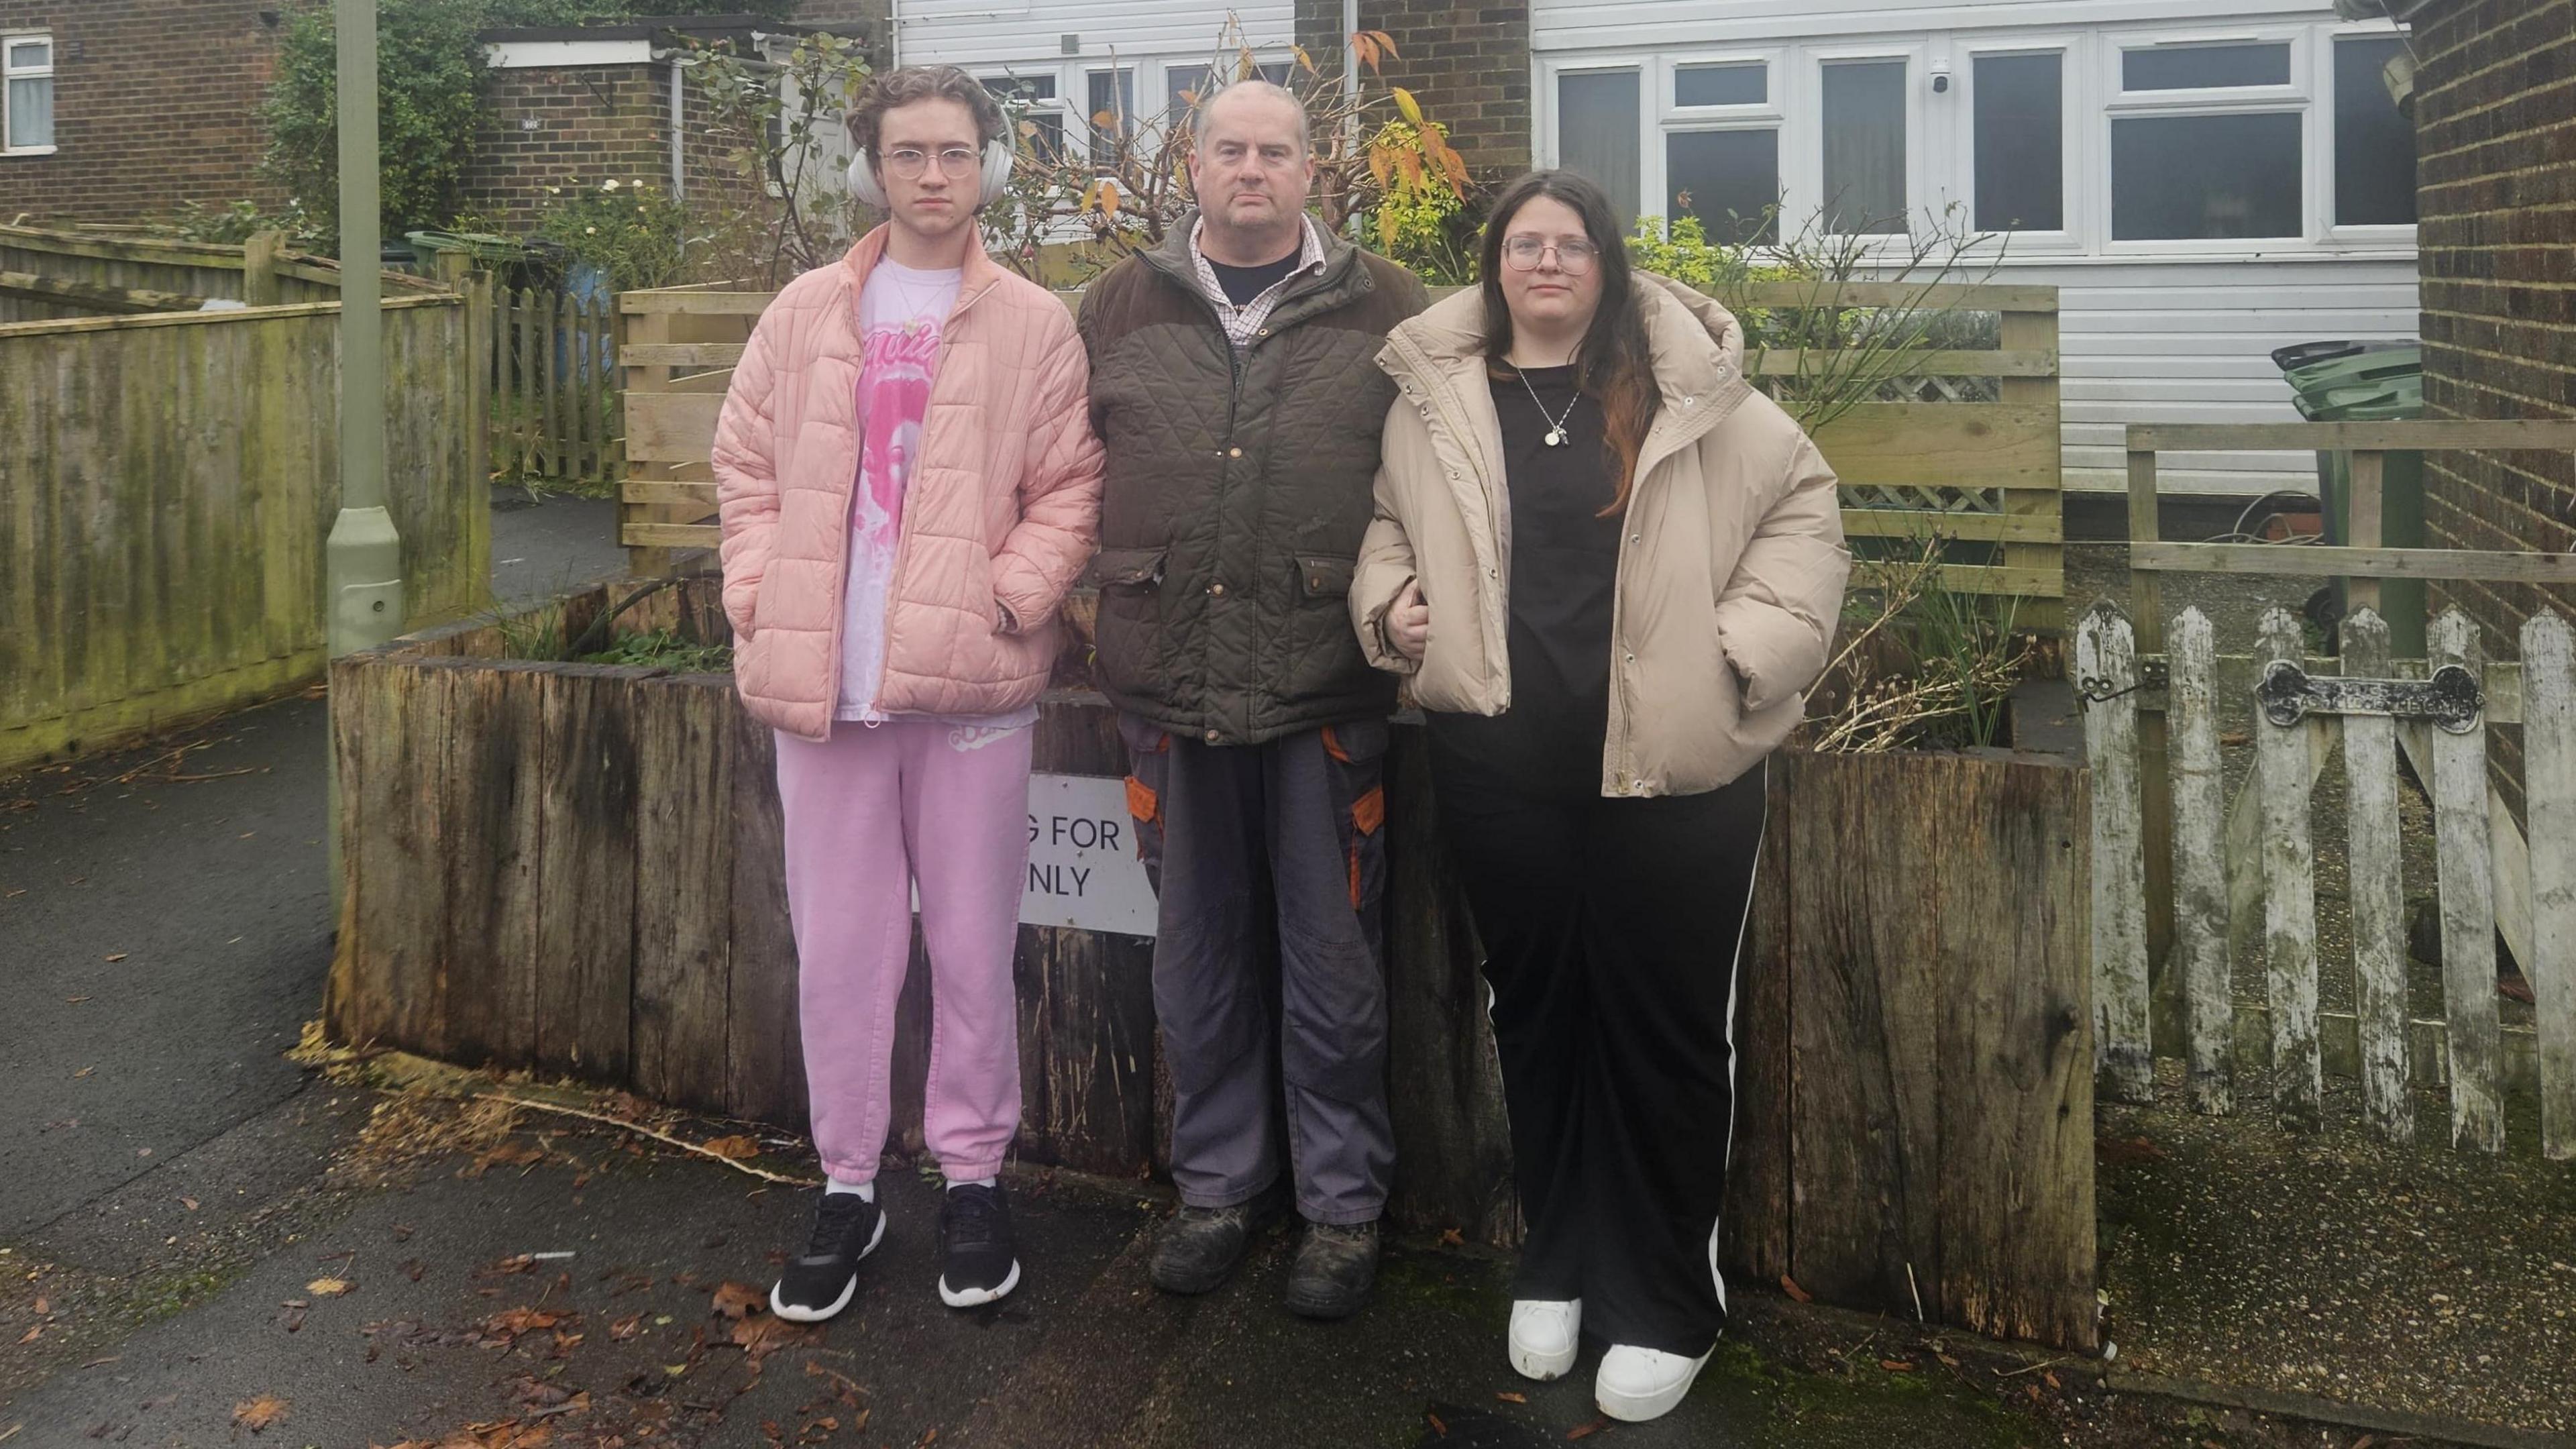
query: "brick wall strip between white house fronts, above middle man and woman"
1470, 66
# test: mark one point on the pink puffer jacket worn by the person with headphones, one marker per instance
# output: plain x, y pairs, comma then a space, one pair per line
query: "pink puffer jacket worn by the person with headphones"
1003, 507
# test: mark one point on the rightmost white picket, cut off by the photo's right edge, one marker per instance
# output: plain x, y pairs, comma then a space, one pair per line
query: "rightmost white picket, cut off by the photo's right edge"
2549, 759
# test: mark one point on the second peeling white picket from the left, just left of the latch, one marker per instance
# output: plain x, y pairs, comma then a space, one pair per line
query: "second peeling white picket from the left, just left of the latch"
2201, 888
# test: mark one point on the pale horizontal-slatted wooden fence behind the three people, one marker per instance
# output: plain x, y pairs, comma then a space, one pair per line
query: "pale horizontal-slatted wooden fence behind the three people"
1975, 473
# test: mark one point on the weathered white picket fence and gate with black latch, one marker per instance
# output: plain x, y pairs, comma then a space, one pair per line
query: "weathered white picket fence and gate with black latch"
2245, 878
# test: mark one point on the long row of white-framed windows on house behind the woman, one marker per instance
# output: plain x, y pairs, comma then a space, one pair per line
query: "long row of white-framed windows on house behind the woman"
2116, 143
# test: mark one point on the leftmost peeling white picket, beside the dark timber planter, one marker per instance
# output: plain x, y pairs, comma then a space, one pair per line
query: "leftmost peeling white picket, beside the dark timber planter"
2108, 672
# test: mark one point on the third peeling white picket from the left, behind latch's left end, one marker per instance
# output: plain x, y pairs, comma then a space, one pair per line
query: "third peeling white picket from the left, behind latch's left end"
2289, 870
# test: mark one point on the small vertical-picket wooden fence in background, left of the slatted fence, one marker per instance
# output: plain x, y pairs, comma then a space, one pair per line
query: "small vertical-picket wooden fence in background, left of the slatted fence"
555, 396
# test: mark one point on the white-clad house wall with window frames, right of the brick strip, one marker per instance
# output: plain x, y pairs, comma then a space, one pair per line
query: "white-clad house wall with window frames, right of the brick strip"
2152, 331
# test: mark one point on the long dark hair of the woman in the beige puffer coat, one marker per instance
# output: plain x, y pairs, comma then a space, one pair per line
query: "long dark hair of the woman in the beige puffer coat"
1614, 362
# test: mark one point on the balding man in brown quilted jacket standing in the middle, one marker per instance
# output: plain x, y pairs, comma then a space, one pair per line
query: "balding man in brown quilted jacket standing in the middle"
1240, 406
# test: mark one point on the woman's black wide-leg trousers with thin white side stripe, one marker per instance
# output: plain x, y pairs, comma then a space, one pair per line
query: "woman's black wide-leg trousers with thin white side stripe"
1611, 932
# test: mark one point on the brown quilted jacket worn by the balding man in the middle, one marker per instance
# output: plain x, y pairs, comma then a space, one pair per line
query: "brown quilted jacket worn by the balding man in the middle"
1238, 494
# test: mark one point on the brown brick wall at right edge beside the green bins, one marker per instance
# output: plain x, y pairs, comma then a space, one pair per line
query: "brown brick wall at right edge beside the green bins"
2497, 200
